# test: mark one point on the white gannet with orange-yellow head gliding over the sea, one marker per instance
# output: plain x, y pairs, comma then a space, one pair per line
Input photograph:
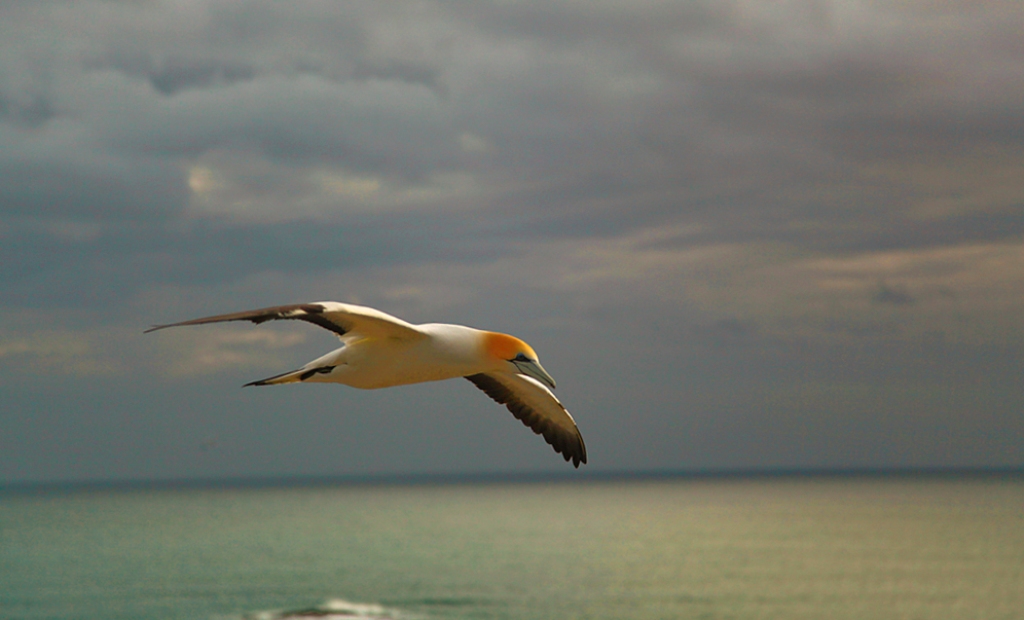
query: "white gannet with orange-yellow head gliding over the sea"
381, 351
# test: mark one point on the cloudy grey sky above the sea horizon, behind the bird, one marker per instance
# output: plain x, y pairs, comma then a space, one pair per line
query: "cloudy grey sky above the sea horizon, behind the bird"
740, 235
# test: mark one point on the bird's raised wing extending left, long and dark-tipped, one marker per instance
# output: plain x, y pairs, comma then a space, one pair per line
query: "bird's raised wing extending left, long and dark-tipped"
339, 318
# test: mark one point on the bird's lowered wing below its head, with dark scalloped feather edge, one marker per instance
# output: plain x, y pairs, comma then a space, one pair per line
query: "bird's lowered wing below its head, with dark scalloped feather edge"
538, 408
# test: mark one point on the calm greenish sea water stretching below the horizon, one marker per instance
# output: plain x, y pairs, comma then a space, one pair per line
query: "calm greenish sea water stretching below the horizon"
788, 548
